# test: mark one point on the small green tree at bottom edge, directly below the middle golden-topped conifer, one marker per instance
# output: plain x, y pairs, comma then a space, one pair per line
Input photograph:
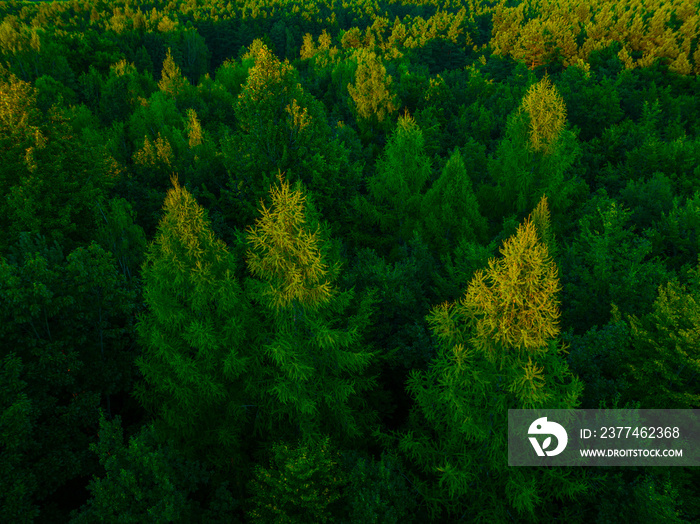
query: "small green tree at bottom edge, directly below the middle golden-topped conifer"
302, 484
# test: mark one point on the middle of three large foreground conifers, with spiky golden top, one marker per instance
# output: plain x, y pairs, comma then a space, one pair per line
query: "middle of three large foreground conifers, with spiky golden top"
314, 361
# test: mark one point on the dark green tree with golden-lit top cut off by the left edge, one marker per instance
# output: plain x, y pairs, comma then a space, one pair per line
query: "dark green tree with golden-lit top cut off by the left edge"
50, 178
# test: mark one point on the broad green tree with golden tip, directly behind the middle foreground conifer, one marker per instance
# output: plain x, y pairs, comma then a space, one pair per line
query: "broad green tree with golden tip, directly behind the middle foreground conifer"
280, 127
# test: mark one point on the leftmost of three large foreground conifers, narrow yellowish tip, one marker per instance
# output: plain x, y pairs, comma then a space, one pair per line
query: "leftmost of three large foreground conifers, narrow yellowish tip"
194, 332
